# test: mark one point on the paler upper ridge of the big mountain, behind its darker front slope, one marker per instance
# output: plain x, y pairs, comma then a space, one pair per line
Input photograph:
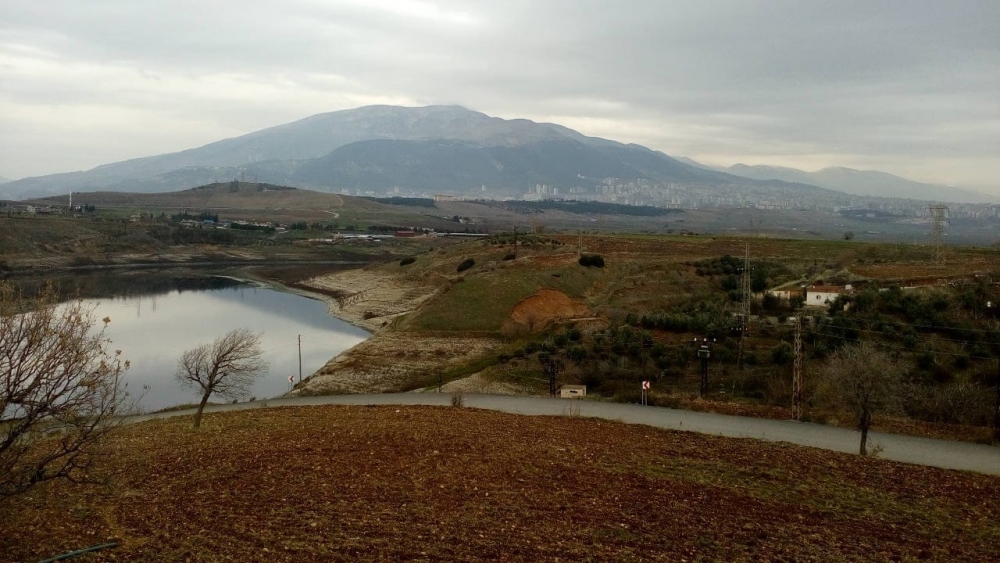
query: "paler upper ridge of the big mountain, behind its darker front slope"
273, 151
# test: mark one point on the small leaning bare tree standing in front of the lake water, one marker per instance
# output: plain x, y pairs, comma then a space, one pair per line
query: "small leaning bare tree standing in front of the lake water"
227, 367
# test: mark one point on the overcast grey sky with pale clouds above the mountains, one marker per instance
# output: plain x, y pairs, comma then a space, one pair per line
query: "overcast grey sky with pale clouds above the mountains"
909, 87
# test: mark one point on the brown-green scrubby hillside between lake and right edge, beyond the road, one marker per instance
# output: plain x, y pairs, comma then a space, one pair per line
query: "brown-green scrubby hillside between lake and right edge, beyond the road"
493, 325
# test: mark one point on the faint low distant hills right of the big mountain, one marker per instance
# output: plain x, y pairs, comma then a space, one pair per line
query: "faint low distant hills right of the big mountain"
862, 182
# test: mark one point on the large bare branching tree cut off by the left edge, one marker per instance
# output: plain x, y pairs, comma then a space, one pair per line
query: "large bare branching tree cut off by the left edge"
60, 389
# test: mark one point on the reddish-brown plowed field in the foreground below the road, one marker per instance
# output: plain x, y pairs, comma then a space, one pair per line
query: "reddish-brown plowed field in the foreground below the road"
450, 484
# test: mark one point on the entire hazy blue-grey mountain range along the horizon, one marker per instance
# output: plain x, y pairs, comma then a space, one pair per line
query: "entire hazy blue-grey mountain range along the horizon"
444, 149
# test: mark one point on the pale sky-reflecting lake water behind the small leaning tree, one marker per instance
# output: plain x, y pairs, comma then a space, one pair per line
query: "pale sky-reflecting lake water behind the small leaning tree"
152, 331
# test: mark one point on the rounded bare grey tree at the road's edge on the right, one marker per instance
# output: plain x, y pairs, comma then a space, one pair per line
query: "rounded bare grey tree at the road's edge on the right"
866, 380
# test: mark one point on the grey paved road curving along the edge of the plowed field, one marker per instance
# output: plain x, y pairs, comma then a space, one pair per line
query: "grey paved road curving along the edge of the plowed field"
908, 449
